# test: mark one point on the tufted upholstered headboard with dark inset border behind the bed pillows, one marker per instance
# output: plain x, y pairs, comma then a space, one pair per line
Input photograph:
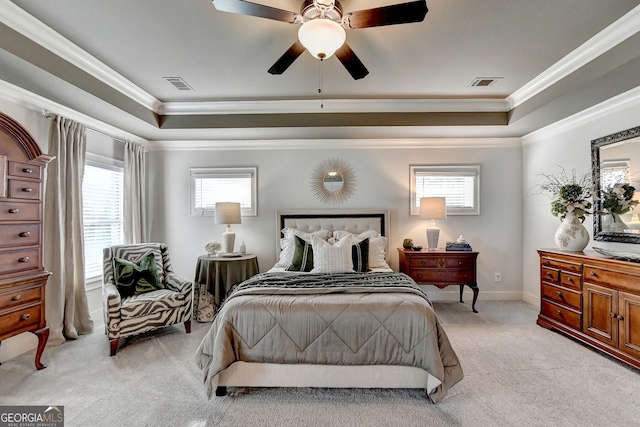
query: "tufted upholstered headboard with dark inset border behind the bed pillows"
352, 220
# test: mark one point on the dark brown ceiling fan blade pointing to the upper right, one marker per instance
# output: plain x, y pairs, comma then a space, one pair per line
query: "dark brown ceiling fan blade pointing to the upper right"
404, 13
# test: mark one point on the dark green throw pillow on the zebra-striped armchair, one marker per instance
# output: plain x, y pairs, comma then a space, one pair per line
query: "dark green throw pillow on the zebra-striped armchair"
136, 277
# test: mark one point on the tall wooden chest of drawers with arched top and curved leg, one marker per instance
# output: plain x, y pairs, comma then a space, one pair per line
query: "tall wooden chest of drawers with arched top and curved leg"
22, 275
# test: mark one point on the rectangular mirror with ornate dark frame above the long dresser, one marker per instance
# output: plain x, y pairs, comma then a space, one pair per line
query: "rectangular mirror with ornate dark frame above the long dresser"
615, 159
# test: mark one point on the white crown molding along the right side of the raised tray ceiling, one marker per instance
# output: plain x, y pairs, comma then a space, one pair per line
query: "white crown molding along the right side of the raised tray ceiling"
614, 34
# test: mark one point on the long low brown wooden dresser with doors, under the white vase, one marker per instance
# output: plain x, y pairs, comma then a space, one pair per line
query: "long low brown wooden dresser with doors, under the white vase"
593, 299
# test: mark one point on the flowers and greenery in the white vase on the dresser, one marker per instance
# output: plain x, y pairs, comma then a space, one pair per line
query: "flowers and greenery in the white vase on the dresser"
569, 194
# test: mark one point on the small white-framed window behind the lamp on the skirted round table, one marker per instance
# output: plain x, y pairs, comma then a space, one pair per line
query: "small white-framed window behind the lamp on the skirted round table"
212, 185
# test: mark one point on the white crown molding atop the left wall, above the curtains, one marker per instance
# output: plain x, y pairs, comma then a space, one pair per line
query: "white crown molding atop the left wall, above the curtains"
32, 101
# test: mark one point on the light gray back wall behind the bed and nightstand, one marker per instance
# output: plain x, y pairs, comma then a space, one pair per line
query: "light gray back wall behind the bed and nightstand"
382, 182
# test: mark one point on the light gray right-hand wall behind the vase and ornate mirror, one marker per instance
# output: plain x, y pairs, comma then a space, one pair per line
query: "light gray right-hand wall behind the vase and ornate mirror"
544, 152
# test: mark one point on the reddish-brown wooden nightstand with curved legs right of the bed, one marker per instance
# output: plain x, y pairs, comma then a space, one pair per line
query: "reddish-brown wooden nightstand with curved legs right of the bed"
441, 268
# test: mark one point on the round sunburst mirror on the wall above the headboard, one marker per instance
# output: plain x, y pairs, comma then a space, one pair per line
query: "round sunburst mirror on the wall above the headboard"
333, 181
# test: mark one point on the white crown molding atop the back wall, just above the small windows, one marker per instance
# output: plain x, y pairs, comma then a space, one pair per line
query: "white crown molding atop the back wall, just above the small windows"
335, 144
